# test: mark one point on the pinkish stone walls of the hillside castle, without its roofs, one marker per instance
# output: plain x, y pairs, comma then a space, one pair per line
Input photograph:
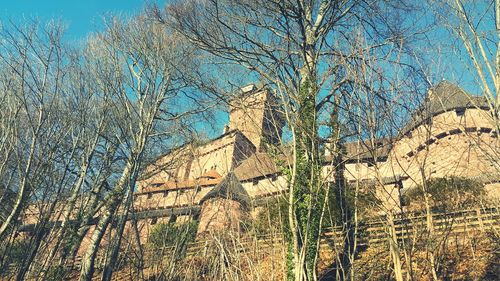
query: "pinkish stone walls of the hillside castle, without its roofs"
456, 143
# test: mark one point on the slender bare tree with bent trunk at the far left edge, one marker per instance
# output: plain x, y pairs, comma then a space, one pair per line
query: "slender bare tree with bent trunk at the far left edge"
36, 66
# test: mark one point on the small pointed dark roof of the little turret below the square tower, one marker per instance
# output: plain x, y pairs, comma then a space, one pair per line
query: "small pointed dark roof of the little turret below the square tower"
229, 188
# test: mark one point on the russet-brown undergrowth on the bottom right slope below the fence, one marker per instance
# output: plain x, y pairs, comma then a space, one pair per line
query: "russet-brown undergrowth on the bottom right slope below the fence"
458, 258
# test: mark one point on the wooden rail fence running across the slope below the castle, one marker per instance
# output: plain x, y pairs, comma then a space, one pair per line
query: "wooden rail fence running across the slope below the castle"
376, 230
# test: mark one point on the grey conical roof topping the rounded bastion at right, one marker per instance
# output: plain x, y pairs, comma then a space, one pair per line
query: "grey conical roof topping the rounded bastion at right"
444, 97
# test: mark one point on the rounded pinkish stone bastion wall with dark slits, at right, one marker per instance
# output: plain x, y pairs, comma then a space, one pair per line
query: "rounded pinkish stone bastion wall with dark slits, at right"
452, 145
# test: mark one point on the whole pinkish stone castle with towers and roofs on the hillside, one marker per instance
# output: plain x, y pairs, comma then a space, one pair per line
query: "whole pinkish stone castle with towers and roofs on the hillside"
225, 179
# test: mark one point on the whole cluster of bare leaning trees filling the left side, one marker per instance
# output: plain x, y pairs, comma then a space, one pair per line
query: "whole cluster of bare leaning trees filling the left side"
76, 125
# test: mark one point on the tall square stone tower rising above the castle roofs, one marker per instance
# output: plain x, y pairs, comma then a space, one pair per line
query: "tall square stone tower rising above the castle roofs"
255, 113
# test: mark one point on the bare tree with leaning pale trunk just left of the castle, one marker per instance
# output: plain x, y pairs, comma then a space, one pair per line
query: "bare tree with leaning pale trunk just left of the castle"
141, 68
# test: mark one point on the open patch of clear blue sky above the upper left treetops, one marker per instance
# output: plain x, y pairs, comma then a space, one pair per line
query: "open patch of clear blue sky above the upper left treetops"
82, 16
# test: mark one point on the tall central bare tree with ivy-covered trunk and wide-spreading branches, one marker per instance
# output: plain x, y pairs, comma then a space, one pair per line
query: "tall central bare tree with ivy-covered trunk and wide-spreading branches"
298, 47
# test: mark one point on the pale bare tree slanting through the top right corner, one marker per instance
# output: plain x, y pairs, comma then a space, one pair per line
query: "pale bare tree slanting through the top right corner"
477, 27
